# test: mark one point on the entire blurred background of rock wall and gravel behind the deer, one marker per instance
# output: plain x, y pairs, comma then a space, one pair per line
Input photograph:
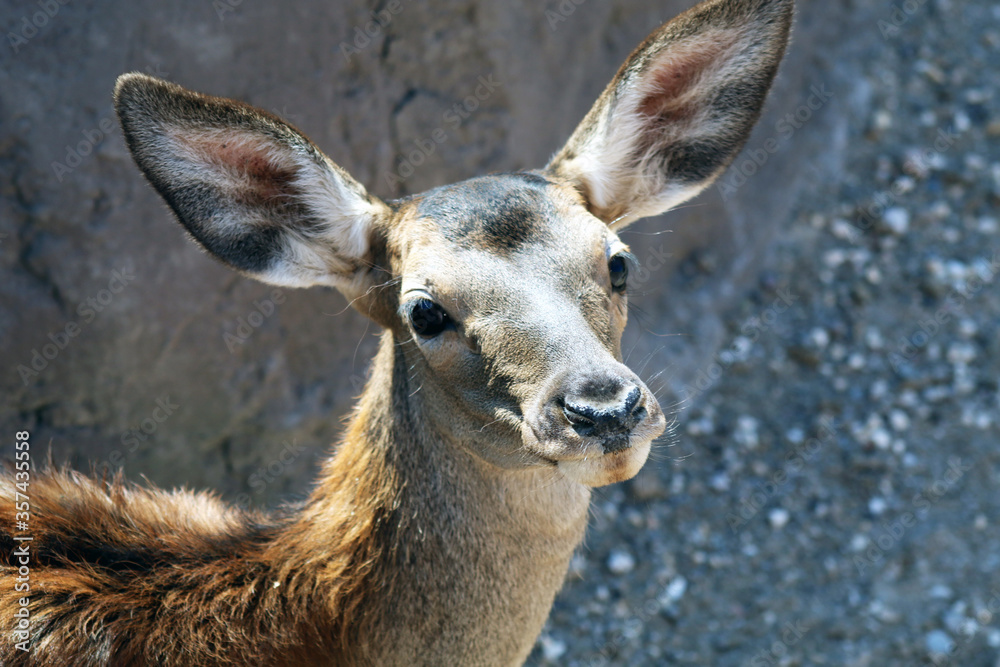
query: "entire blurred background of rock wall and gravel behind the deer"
823, 321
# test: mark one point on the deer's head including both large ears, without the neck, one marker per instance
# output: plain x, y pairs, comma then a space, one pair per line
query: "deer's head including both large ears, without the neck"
507, 292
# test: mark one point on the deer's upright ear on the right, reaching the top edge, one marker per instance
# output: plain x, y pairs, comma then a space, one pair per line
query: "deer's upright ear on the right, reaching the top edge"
678, 111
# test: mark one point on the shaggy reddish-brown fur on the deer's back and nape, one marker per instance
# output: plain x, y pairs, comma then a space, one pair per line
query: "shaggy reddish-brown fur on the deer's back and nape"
125, 575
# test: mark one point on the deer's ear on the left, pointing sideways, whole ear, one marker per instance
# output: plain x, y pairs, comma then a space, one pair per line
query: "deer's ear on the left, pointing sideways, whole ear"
251, 189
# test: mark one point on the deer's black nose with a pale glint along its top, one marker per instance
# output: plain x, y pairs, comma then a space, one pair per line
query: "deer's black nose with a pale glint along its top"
611, 421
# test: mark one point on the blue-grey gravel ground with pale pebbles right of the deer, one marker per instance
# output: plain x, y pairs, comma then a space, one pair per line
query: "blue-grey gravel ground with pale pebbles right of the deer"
828, 498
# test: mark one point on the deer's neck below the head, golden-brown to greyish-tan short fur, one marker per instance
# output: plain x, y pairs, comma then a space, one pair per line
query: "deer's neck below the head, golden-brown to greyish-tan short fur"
411, 541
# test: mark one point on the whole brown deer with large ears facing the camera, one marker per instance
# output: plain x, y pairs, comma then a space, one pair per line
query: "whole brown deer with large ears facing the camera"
442, 526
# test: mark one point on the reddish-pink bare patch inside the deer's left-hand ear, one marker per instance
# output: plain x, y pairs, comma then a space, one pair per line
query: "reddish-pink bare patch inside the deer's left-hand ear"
248, 165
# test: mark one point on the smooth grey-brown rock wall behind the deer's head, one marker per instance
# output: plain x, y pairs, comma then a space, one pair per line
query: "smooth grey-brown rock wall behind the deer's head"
135, 317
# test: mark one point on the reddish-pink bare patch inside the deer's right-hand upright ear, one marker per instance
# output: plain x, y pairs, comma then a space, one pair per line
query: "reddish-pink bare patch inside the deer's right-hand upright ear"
680, 82
